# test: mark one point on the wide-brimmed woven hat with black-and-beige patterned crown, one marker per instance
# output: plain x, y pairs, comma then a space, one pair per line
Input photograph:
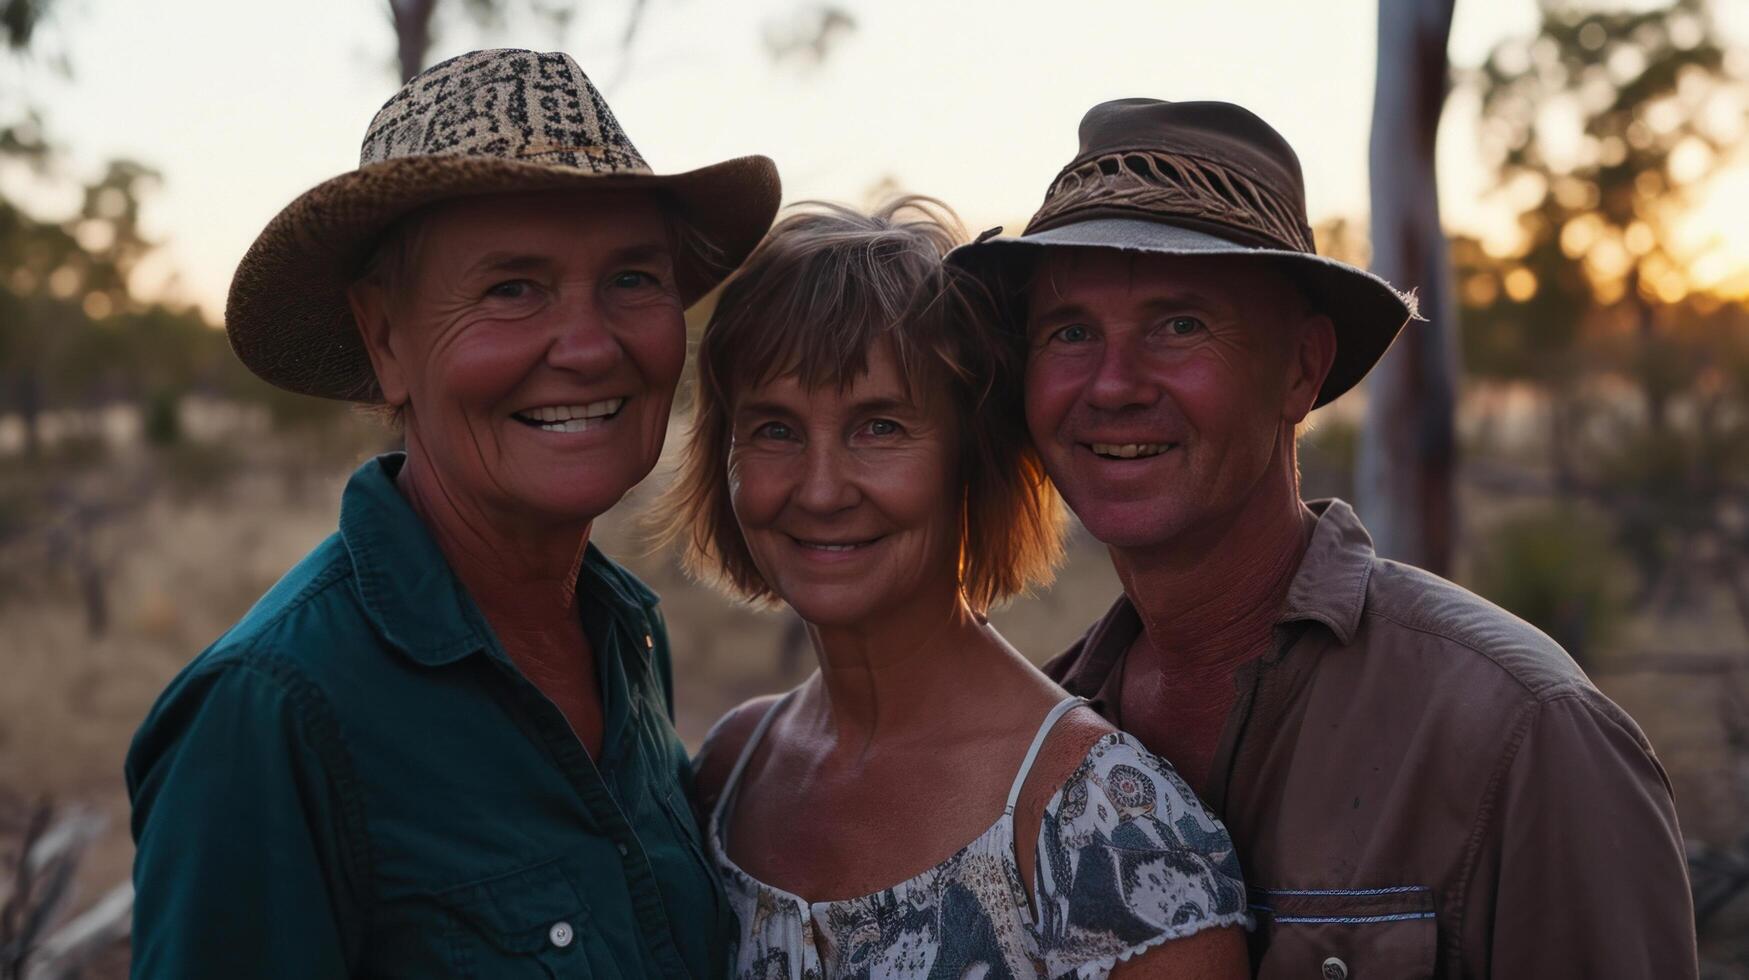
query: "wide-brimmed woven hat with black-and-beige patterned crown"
485, 123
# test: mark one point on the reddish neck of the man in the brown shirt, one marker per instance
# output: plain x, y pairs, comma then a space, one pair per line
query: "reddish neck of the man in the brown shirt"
1209, 601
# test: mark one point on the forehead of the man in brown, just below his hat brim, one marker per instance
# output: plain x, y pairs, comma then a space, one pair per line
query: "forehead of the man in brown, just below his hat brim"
1113, 277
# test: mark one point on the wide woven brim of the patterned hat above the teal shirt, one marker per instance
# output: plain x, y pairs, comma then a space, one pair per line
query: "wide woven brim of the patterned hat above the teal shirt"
288, 312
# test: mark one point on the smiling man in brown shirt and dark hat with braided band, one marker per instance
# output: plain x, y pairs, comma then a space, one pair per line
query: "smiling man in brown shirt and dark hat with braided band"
1418, 783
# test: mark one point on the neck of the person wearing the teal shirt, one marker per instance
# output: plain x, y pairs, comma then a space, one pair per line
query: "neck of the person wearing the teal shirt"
522, 578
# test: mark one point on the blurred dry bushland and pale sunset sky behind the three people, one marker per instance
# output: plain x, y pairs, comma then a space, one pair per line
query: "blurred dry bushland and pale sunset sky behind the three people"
1564, 183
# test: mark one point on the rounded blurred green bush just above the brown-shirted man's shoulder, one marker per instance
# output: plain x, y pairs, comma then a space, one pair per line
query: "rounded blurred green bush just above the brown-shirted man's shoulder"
1556, 570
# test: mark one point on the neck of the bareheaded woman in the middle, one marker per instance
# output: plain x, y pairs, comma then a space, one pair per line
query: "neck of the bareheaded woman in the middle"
900, 668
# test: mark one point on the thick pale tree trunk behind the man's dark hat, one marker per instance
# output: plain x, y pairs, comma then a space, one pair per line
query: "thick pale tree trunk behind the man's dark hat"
1409, 449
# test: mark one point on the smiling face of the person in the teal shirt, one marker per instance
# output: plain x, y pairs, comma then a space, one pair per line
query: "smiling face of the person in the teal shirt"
536, 342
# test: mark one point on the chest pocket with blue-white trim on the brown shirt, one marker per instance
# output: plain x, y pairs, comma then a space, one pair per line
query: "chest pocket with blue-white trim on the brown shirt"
1346, 934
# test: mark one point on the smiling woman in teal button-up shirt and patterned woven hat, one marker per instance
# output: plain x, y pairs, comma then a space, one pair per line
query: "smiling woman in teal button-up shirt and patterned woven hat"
443, 746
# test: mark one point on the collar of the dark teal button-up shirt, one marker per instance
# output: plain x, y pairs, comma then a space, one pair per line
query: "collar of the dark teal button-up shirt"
412, 598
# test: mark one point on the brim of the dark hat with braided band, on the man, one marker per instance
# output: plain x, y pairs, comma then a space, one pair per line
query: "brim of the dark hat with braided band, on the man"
1367, 311
